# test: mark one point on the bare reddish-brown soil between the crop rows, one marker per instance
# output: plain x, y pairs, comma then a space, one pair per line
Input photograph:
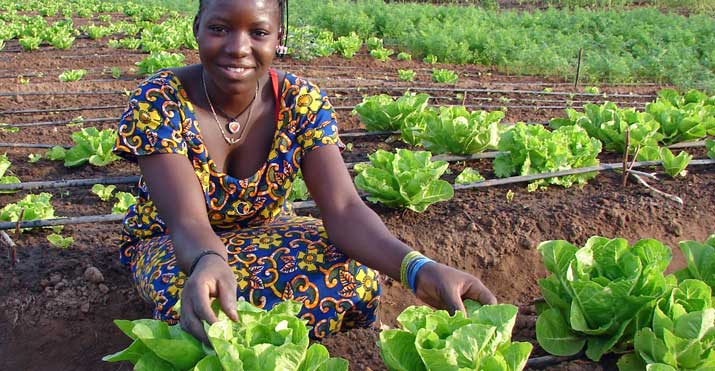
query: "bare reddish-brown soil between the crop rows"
56, 311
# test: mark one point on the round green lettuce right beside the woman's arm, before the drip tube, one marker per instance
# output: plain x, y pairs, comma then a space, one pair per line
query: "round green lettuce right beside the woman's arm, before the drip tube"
403, 179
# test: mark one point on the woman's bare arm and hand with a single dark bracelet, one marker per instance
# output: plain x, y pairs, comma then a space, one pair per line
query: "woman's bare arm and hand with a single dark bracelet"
178, 197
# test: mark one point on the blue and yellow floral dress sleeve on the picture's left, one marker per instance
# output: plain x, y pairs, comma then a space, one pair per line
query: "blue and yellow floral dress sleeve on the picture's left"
153, 123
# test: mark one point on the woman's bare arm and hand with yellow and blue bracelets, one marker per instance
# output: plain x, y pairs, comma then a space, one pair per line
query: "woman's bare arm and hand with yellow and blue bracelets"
360, 233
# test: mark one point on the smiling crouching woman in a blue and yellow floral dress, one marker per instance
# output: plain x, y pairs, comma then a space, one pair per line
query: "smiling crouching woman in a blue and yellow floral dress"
219, 145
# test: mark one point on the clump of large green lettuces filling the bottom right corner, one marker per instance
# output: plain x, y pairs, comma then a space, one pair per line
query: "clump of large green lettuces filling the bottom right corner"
610, 297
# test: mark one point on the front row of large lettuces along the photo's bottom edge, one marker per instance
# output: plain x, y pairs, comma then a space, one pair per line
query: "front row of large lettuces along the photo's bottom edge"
606, 296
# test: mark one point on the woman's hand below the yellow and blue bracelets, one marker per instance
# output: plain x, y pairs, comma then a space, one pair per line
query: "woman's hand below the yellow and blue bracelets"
444, 287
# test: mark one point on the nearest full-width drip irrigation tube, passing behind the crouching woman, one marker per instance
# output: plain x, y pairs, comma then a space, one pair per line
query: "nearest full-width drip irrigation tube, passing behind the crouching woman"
311, 204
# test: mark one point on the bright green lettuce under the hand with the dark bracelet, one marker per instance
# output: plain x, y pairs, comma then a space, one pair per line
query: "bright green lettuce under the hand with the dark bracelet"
260, 340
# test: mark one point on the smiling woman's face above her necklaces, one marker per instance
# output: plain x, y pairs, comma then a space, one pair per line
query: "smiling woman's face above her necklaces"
237, 41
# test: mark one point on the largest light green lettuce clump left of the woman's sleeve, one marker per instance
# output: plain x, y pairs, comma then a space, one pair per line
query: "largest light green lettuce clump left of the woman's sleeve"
90, 145
